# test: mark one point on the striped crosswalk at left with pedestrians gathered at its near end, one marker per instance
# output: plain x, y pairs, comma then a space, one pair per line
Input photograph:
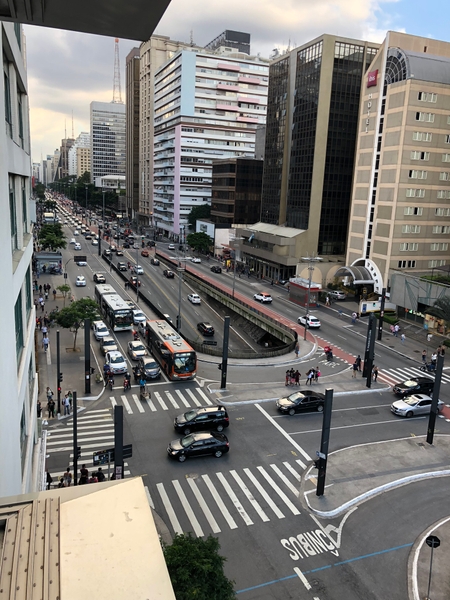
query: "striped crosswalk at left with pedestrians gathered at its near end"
95, 431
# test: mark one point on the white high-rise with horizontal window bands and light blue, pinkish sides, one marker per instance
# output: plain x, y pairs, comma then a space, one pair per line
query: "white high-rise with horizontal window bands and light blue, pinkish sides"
207, 106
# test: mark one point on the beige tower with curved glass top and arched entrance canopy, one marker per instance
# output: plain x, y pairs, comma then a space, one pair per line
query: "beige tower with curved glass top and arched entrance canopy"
400, 210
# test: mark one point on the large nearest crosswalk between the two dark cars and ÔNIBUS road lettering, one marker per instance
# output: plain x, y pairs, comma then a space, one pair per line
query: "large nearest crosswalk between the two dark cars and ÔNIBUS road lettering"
204, 504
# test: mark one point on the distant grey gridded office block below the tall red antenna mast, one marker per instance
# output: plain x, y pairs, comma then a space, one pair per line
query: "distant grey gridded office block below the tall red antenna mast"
107, 139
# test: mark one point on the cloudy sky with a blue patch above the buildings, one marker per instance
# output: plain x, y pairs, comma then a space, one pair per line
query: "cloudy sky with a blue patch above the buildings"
67, 70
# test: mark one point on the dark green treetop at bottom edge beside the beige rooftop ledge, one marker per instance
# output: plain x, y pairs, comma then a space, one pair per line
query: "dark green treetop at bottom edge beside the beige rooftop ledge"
196, 569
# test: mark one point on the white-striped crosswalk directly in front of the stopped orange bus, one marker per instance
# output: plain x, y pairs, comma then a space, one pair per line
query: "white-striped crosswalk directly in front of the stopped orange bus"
162, 400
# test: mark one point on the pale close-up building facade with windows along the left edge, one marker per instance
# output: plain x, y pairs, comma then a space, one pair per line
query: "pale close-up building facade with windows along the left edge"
18, 416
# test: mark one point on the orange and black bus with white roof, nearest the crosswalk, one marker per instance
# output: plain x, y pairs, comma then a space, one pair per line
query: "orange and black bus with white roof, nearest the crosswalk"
176, 357
